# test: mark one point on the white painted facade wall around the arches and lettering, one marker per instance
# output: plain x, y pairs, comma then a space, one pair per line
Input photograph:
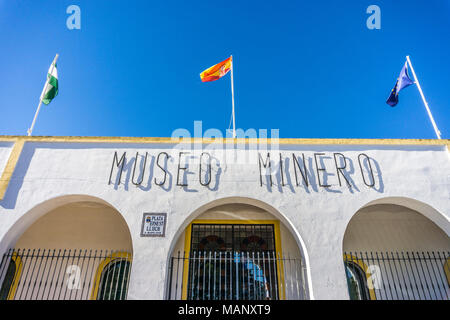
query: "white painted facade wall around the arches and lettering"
318, 217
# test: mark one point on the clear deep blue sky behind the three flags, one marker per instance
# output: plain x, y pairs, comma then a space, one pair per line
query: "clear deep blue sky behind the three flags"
311, 69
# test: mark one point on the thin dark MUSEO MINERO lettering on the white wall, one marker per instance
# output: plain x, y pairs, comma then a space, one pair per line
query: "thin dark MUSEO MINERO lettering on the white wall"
305, 170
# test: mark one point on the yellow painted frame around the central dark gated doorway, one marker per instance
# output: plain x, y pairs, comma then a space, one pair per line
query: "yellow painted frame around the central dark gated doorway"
280, 266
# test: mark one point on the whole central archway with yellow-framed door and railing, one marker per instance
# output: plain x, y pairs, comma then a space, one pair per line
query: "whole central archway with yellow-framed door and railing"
237, 248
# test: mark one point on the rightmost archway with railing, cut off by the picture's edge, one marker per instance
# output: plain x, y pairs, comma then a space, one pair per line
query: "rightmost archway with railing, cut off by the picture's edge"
397, 249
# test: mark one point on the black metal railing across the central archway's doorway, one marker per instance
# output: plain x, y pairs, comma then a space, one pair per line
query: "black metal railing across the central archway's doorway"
225, 275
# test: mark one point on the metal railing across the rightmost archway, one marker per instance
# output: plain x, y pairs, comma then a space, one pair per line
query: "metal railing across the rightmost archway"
398, 275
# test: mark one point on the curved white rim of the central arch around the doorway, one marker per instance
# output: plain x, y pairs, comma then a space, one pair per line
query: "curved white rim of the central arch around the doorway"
255, 203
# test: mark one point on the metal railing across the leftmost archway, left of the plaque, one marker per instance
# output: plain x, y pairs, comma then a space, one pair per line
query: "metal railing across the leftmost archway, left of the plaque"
64, 274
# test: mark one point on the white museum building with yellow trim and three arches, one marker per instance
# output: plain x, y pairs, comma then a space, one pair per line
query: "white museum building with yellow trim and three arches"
224, 219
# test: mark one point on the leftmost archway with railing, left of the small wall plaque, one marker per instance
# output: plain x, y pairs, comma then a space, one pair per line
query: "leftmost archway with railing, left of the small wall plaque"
66, 248
